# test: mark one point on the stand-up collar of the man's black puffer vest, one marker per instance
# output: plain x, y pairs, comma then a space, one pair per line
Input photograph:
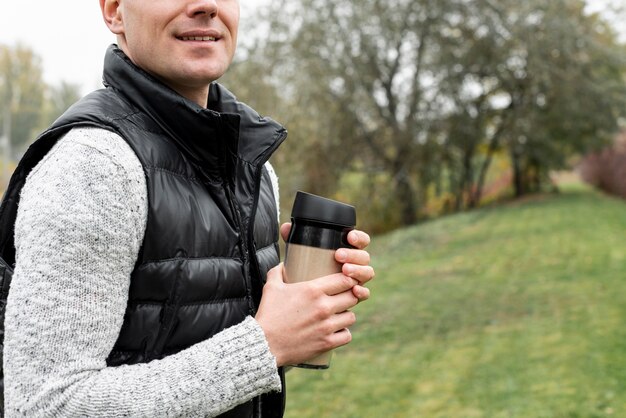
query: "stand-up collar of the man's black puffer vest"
212, 136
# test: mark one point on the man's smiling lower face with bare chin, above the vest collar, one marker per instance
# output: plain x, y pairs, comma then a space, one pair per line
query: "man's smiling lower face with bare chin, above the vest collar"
185, 43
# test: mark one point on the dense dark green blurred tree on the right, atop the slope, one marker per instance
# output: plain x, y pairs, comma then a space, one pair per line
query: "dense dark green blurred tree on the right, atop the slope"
516, 74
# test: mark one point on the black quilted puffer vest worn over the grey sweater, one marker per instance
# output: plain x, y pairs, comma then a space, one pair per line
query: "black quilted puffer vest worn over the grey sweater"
212, 229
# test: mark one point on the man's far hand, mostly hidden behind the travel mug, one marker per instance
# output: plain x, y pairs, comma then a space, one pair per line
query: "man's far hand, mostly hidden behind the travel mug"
355, 261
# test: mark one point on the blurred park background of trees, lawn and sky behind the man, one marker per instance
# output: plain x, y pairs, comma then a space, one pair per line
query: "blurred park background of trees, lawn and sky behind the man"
484, 145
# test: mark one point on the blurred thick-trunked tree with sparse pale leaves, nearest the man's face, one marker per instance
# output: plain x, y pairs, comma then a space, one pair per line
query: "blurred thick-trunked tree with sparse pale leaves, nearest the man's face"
371, 64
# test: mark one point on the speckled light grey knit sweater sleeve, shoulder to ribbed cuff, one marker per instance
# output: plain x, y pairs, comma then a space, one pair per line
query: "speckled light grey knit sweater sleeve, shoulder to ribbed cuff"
80, 224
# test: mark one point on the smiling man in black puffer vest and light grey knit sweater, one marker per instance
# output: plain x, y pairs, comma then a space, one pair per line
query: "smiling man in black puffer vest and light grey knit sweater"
144, 235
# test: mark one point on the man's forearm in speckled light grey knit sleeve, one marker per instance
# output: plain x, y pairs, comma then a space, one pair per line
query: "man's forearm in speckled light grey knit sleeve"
205, 380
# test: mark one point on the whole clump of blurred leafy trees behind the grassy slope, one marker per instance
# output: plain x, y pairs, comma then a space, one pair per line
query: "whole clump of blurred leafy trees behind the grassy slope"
430, 91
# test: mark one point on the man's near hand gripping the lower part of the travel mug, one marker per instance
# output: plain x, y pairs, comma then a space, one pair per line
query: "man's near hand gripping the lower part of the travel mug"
303, 320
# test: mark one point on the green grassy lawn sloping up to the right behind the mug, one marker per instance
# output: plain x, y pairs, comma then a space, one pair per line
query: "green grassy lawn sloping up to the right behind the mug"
513, 311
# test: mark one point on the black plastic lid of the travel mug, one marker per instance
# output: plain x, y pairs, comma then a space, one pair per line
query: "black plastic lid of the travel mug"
320, 209
